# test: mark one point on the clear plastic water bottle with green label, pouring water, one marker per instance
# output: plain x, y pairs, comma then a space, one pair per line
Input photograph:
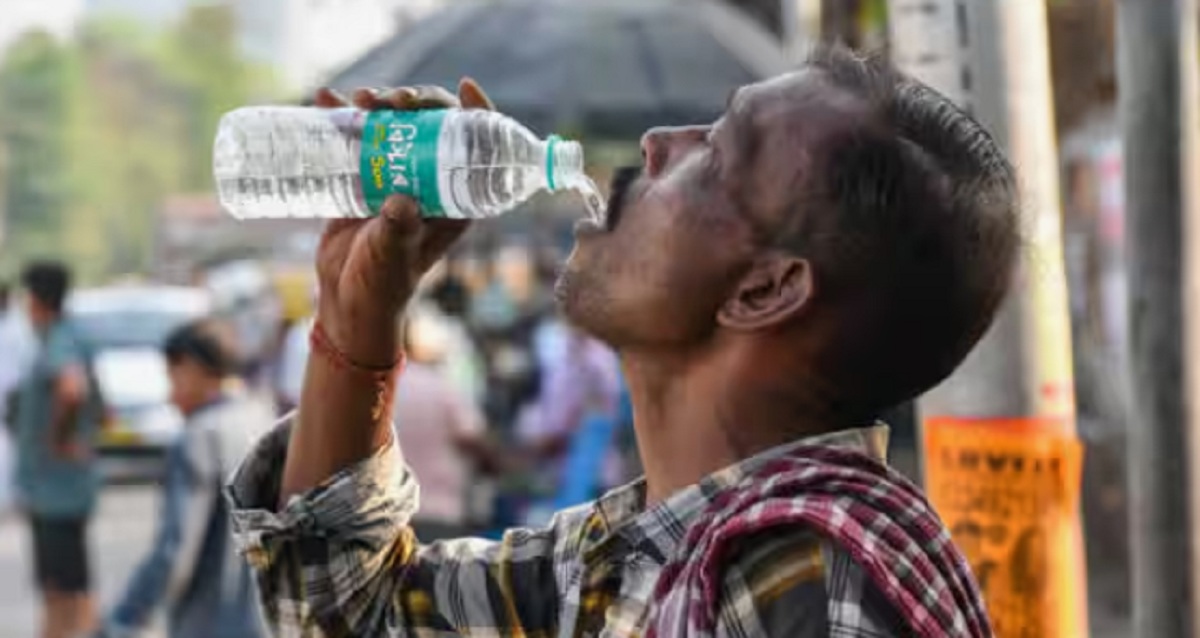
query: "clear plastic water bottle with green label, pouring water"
280, 162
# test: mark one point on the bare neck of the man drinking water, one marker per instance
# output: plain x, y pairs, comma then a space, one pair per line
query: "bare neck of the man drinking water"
694, 419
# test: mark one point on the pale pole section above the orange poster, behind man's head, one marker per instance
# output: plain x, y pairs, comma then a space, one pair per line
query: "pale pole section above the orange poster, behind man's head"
993, 58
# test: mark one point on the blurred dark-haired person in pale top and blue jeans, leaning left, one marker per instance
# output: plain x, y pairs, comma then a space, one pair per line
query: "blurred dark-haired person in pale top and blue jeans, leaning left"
193, 570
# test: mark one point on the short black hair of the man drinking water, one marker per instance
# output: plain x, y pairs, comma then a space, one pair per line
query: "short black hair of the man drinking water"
922, 236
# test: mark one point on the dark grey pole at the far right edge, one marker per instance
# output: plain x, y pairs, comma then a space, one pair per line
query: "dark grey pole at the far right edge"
1151, 74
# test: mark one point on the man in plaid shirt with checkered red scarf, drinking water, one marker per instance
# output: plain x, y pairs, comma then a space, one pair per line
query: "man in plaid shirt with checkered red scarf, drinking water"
835, 245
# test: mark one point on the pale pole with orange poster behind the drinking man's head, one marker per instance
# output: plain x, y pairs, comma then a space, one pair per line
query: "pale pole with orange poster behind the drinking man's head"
1003, 428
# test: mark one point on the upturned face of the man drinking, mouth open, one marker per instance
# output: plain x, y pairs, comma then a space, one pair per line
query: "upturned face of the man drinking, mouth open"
679, 239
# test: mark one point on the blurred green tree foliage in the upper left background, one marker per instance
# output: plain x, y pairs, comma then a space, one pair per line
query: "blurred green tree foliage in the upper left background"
97, 133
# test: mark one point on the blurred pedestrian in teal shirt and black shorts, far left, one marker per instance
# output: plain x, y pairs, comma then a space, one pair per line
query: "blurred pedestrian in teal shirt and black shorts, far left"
58, 417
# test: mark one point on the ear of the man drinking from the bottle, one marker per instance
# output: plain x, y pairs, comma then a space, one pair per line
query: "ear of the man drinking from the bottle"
775, 291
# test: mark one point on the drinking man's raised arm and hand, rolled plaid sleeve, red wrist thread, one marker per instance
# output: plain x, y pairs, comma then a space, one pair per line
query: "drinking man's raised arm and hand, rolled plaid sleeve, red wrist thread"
321, 508
